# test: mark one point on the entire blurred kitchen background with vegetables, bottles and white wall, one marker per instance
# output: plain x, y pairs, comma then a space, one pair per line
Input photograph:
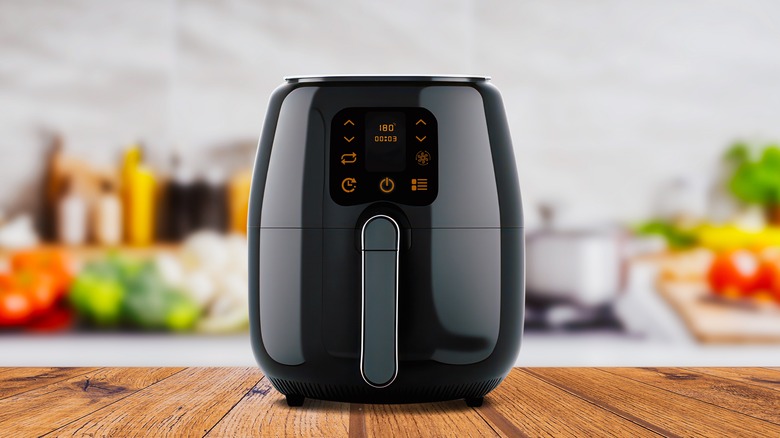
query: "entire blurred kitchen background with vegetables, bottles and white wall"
646, 139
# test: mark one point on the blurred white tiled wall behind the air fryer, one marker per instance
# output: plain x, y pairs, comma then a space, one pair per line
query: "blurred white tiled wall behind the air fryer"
607, 99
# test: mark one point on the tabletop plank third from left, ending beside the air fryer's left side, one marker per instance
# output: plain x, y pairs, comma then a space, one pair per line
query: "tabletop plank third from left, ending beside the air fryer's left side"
188, 403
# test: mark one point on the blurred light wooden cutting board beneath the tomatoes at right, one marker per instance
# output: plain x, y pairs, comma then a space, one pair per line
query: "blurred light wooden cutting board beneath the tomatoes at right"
720, 321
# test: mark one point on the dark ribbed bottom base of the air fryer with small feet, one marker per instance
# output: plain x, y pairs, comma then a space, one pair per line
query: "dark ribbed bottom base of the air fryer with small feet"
472, 392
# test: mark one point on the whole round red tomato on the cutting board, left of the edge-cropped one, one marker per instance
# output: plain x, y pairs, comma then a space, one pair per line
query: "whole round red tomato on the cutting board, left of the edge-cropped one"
740, 273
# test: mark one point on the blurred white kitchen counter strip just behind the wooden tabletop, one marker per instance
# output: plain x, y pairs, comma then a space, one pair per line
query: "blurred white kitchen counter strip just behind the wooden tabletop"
538, 350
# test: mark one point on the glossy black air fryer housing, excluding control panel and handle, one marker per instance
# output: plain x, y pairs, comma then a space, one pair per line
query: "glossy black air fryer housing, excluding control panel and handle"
460, 259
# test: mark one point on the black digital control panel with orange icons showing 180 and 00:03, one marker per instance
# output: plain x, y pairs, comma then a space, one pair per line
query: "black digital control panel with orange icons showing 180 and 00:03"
384, 154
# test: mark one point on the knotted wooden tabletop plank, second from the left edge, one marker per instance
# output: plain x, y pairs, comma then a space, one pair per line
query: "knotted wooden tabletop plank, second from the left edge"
43, 409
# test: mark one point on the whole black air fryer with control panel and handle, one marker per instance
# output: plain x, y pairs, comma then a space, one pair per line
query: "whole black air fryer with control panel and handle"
385, 240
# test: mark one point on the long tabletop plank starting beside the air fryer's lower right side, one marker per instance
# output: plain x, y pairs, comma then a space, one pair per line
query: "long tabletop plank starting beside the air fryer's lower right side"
678, 414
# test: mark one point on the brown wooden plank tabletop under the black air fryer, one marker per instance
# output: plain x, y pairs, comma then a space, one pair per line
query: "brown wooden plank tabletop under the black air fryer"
227, 402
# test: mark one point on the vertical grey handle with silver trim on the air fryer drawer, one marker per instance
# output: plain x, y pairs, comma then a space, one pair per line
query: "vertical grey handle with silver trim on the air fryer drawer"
379, 338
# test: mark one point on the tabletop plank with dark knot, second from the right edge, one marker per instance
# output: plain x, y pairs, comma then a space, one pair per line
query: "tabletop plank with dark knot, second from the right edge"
740, 397
